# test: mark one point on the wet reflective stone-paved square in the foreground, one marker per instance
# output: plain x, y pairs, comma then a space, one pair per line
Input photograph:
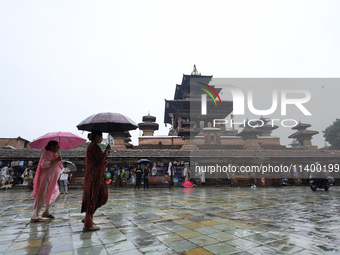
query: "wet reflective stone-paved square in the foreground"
289, 220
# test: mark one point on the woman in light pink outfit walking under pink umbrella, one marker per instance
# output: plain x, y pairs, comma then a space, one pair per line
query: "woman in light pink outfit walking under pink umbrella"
46, 188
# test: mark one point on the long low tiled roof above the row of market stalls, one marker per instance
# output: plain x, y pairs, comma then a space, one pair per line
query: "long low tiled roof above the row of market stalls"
177, 153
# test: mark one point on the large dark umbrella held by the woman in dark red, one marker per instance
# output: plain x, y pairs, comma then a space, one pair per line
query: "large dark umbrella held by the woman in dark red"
107, 122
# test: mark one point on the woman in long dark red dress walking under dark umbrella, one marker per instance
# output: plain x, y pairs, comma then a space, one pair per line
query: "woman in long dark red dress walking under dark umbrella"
95, 192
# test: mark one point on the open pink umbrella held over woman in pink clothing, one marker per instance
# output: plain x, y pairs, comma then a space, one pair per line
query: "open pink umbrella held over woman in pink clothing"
66, 140
